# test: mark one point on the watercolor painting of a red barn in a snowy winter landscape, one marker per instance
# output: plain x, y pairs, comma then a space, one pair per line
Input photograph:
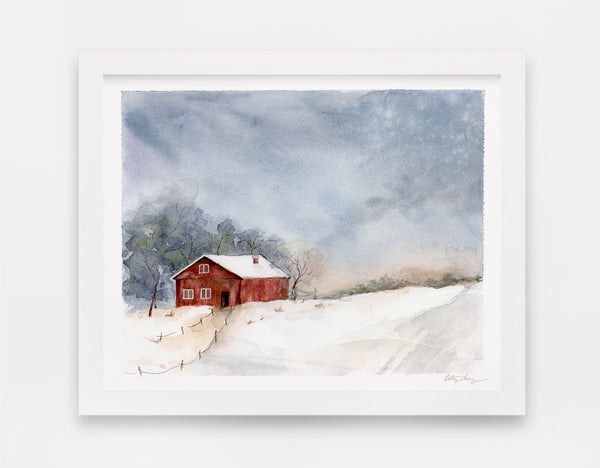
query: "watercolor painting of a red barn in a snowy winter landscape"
302, 232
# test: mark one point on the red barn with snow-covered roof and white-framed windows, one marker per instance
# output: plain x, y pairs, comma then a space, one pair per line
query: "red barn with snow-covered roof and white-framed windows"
224, 280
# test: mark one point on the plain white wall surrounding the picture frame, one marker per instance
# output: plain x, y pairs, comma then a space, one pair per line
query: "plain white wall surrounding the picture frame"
40, 426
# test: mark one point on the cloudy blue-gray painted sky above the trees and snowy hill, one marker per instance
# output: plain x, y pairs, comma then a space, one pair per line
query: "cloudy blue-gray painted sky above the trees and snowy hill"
388, 178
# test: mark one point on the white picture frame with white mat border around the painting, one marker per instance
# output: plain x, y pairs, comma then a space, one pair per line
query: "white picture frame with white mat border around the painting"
506, 260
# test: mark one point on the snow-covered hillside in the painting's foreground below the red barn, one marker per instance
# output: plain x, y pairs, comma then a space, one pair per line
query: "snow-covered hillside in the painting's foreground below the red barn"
410, 330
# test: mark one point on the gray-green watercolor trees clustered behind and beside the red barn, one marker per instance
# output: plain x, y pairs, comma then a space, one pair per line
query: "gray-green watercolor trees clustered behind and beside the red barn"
166, 233
